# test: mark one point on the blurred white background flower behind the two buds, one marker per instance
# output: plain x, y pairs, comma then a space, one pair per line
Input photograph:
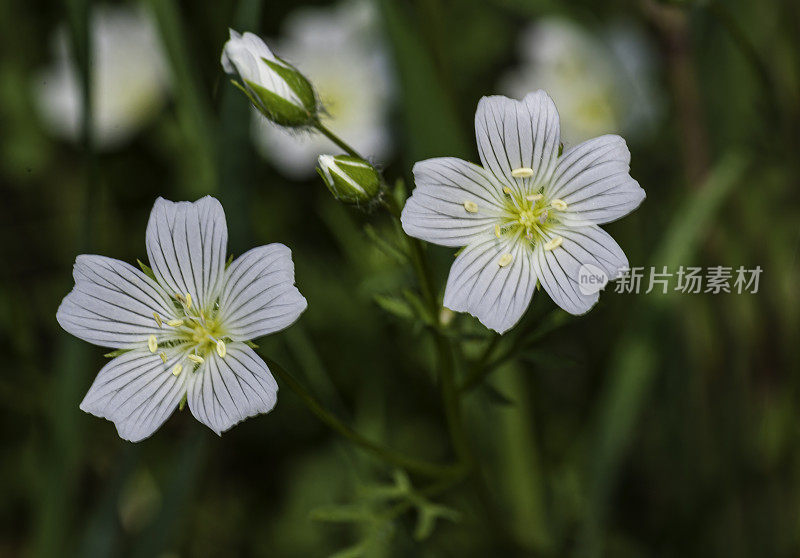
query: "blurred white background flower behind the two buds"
339, 50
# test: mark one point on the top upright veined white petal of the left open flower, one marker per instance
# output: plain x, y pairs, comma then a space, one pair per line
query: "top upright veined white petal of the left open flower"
186, 244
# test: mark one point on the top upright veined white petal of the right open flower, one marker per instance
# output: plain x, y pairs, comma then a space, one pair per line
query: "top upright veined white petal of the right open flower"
518, 134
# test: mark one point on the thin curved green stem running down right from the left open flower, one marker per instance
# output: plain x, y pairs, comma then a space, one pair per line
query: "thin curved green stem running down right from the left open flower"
387, 454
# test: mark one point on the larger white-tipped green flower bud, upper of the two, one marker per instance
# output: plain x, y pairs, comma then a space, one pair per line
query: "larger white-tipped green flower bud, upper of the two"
274, 86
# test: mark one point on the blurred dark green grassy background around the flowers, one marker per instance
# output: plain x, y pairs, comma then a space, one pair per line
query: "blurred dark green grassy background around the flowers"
653, 426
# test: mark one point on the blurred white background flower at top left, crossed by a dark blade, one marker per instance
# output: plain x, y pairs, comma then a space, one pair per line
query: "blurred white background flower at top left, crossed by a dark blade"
129, 73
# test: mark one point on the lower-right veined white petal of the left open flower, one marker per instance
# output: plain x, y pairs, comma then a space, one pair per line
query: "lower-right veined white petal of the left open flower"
225, 391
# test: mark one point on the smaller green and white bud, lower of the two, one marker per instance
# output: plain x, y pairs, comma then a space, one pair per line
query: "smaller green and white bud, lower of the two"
350, 179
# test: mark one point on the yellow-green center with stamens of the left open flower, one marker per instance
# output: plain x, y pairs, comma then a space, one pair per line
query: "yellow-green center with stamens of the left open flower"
194, 333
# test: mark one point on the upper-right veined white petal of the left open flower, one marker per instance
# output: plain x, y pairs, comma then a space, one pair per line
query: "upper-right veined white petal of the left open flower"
259, 296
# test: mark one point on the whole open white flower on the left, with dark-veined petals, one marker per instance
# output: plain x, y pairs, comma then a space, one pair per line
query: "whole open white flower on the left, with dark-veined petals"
184, 333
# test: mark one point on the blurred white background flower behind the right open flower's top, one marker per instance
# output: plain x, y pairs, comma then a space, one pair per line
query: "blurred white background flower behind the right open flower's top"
601, 83
